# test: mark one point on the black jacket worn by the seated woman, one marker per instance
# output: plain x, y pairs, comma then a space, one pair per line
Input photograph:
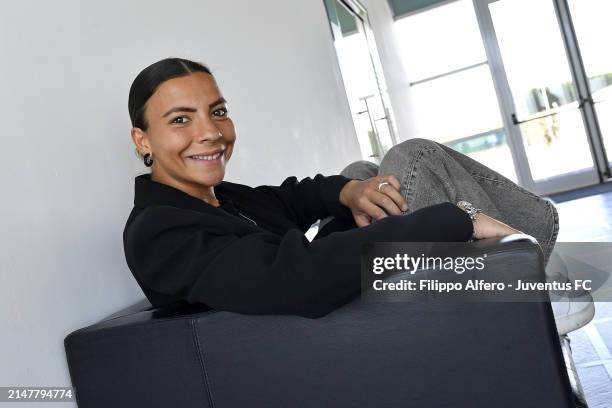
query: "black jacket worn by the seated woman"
180, 248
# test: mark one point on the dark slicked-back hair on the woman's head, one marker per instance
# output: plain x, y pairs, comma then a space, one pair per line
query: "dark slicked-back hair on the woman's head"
150, 78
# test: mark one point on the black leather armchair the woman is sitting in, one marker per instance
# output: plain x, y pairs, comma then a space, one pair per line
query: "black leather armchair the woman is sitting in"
388, 354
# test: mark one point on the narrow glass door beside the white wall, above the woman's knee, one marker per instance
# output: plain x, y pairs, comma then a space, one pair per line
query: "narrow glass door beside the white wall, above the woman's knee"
363, 78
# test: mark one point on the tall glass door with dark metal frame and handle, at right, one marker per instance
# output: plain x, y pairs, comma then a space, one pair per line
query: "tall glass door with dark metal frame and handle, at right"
544, 106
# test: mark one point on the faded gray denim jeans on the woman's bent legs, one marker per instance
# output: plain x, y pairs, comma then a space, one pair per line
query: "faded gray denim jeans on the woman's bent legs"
431, 173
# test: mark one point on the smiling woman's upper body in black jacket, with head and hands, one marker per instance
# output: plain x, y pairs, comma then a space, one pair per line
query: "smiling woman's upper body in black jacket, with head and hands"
194, 237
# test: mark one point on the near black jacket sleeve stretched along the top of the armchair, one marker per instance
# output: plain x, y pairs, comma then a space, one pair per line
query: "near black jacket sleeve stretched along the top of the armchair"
264, 273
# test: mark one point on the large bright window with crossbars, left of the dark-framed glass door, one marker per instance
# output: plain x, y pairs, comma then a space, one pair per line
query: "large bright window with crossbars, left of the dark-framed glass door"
453, 91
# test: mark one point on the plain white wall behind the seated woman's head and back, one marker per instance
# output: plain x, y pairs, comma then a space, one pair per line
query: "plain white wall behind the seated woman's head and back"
67, 162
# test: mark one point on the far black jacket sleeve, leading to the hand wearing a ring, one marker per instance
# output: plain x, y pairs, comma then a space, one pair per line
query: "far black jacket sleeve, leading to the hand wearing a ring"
311, 198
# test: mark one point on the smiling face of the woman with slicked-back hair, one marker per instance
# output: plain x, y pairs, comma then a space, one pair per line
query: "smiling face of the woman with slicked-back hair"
187, 117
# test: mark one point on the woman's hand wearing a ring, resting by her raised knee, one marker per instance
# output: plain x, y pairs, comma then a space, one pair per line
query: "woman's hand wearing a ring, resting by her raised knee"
367, 202
